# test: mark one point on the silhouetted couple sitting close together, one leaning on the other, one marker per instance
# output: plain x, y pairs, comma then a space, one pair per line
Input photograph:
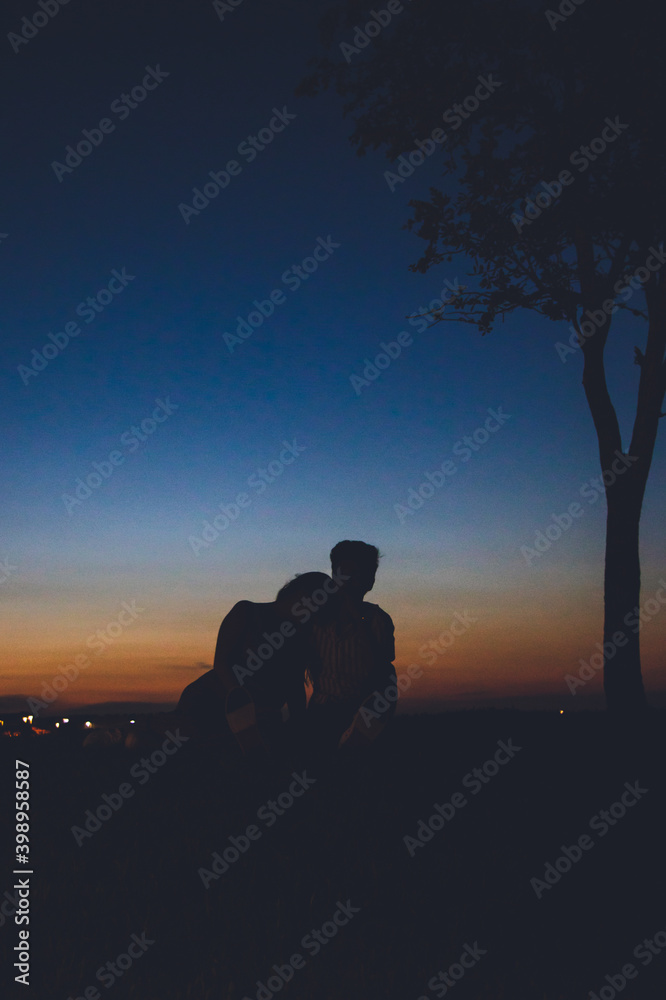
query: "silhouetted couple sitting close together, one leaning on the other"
319, 628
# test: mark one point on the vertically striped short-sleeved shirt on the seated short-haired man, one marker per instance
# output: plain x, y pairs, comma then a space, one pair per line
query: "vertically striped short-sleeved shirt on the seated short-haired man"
352, 656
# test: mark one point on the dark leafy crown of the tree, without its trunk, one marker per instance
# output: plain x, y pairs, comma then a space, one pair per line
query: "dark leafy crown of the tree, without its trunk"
560, 80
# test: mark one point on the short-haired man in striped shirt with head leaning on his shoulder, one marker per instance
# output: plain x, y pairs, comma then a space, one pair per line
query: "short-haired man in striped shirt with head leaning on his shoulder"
355, 650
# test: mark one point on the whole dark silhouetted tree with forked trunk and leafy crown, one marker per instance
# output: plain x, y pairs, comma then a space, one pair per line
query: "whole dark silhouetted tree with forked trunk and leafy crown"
570, 88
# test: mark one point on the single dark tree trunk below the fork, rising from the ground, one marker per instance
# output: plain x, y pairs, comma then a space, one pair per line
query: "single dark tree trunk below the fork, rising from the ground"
623, 684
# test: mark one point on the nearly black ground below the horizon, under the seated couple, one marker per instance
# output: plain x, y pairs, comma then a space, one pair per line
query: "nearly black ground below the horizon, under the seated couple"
408, 917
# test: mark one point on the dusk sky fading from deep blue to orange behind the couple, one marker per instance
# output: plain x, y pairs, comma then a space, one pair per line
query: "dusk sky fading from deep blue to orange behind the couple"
162, 338
